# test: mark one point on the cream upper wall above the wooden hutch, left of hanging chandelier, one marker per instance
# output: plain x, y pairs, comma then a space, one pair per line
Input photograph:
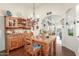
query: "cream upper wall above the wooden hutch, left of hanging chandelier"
17, 9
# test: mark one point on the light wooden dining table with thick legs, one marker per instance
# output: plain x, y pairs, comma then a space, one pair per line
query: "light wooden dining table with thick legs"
48, 45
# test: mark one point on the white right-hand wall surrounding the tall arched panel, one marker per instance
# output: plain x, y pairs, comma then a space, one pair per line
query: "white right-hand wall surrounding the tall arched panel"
70, 41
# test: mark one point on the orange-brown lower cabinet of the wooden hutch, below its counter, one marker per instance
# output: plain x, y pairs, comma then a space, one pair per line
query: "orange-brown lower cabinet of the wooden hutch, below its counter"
14, 42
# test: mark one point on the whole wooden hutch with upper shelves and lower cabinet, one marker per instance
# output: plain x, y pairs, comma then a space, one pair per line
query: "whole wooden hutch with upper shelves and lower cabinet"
14, 39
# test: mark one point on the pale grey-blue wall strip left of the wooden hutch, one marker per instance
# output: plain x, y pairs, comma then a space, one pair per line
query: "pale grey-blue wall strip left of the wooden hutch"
2, 36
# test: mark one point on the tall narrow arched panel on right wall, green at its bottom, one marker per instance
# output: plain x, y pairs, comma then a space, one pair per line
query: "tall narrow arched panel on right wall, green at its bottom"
70, 23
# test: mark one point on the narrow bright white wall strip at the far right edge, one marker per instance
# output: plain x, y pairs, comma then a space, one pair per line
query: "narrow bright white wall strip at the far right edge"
77, 28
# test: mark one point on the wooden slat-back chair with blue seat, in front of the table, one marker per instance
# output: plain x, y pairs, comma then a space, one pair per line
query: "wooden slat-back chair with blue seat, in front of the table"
31, 48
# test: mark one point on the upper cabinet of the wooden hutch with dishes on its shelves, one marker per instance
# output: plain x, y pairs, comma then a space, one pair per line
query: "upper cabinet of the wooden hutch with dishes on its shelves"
14, 22
